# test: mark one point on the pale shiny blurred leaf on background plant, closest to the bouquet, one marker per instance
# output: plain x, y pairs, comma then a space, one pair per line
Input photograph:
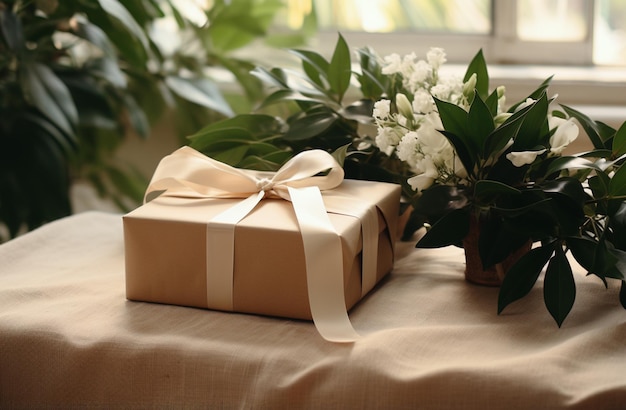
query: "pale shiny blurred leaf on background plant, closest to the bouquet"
200, 91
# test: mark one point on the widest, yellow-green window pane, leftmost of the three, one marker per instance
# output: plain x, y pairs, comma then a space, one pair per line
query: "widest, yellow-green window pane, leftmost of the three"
383, 16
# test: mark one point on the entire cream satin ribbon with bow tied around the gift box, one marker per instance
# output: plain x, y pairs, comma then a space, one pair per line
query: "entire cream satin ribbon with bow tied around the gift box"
188, 173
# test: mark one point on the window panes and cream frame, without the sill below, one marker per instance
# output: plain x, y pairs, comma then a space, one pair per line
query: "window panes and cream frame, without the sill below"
580, 32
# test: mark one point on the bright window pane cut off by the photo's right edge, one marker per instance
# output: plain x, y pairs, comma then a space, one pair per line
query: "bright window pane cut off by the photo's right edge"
610, 32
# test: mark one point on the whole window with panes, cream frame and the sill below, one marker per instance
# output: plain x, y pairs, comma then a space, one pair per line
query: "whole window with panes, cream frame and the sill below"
581, 42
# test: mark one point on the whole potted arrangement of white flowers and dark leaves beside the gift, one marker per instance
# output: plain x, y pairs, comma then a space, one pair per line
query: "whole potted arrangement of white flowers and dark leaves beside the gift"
478, 174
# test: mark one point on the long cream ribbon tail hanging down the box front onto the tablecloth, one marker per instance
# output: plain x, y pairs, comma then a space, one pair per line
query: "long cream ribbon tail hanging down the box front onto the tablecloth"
324, 266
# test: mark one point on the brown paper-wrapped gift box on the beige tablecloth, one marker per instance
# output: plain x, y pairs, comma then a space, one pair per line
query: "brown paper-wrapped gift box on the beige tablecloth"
169, 246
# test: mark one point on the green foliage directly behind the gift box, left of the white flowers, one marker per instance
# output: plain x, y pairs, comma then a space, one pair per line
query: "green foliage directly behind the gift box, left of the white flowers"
312, 113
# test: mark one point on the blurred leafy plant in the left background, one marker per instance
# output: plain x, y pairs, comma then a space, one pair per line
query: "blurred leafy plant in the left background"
79, 77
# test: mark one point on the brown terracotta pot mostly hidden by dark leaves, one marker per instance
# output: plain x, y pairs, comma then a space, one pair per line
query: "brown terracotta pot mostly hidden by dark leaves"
474, 272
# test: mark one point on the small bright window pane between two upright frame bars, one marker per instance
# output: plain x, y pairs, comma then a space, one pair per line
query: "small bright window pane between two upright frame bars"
551, 20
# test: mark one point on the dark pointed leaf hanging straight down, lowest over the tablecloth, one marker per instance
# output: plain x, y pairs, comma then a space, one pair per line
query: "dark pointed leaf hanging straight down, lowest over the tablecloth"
559, 288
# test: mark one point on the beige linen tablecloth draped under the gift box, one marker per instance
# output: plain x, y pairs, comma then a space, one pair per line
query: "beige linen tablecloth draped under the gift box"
70, 339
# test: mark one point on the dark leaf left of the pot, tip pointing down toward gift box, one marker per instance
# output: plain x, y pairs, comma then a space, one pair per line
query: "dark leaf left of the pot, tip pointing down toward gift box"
449, 230
